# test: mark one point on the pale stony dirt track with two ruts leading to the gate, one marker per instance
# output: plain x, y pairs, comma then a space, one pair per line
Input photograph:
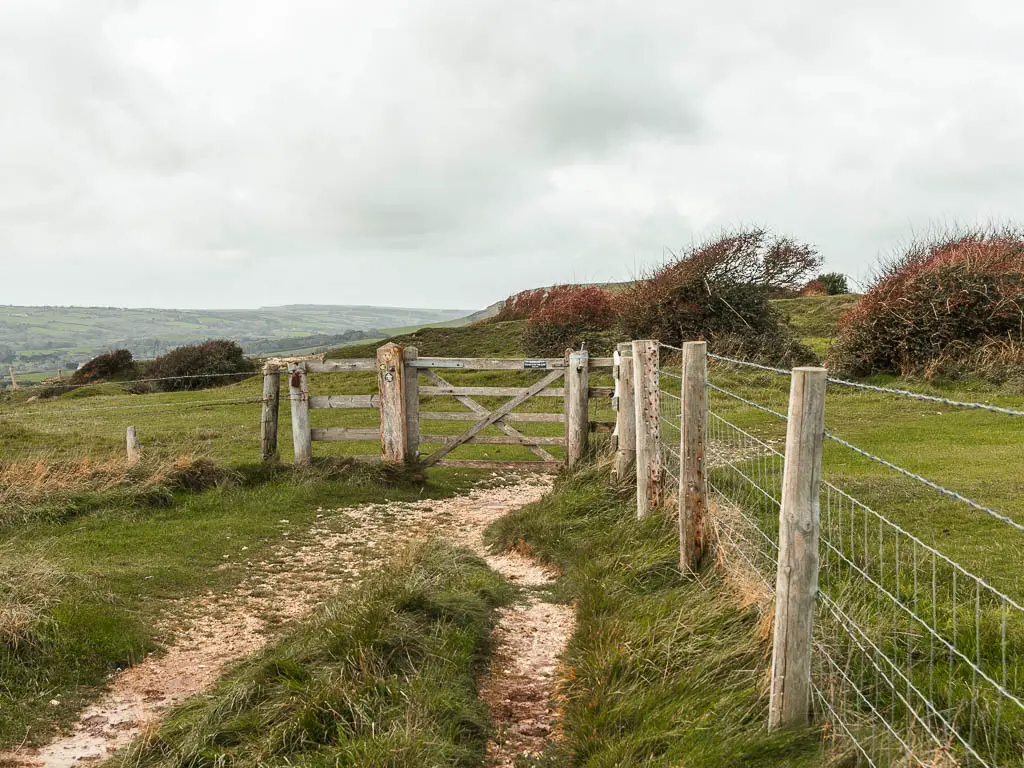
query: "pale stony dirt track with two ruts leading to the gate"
214, 632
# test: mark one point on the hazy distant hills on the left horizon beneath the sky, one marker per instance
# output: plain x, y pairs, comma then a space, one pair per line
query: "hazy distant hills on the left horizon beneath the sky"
44, 338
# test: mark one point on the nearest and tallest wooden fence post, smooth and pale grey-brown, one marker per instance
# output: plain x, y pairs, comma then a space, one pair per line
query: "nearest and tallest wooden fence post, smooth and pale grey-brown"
797, 579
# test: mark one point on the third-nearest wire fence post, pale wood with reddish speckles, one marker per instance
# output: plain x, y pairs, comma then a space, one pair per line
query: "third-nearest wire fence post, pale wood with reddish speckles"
648, 396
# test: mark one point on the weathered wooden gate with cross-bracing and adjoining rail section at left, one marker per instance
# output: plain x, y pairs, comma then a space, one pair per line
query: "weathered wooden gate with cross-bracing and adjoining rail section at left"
404, 378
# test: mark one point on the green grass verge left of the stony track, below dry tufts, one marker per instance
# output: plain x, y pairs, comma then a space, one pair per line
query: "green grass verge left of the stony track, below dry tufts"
121, 558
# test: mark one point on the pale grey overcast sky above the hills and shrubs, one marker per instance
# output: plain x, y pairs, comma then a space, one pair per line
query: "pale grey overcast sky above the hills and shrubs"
449, 153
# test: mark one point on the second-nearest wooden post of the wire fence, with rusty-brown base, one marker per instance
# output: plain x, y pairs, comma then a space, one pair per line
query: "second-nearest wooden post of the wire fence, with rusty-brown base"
693, 443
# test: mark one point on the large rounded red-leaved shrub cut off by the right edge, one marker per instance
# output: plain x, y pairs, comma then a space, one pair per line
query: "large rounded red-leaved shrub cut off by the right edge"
945, 307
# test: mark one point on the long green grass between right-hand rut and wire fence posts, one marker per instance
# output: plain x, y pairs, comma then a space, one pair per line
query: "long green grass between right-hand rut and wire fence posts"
663, 670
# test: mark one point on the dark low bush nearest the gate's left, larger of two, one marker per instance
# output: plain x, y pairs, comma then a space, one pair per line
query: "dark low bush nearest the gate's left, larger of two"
200, 367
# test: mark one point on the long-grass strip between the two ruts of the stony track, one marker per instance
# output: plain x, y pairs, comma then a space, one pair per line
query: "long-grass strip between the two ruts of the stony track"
383, 676
